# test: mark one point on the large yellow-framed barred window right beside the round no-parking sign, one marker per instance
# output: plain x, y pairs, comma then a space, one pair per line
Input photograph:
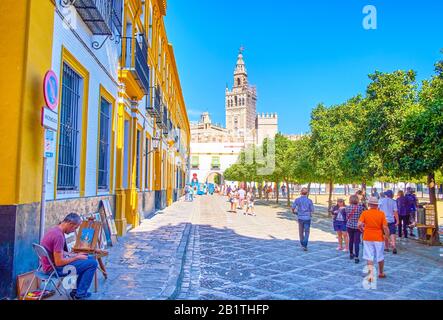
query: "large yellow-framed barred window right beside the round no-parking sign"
70, 124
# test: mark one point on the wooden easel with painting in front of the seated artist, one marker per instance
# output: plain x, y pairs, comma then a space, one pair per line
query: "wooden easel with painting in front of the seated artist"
94, 247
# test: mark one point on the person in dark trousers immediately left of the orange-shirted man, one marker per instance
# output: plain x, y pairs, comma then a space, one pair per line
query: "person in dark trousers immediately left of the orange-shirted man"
353, 213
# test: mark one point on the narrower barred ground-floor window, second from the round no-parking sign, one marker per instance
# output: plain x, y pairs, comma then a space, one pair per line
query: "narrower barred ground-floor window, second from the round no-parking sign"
104, 145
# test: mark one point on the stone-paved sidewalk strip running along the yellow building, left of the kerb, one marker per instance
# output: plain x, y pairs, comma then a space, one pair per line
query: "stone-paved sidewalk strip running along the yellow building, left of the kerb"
147, 263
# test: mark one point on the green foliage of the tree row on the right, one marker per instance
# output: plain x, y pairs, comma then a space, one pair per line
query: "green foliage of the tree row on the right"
393, 133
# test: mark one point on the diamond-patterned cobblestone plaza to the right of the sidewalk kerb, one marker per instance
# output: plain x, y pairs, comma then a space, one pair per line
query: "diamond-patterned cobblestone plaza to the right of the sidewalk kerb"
232, 256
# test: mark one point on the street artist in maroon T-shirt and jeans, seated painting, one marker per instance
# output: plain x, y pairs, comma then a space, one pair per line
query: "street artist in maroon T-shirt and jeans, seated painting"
55, 243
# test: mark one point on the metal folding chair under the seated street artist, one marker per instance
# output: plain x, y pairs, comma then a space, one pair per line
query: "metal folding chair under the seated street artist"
51, 277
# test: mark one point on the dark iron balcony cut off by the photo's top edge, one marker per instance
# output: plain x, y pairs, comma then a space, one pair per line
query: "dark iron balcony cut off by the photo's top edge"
97, 15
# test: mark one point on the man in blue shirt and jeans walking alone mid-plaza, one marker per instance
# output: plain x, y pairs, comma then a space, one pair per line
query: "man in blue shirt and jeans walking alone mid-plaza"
303, 207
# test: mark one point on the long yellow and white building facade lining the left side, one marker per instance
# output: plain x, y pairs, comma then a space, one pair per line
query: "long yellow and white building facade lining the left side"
123, 132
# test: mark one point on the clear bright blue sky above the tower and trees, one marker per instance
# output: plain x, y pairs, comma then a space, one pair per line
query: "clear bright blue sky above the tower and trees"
298, 53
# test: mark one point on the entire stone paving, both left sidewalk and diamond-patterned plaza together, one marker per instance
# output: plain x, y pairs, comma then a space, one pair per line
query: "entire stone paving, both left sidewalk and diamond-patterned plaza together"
199, 251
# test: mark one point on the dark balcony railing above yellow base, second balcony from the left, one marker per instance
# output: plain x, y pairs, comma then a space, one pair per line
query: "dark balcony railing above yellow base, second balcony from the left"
136, 60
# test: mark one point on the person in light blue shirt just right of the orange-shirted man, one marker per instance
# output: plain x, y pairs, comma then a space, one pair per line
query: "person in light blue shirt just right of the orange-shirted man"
389, 206
